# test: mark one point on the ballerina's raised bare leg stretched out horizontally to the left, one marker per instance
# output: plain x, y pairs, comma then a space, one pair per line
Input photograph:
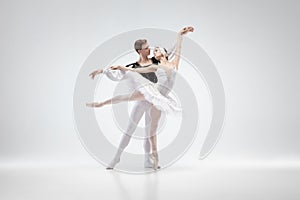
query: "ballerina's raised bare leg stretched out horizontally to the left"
136, 96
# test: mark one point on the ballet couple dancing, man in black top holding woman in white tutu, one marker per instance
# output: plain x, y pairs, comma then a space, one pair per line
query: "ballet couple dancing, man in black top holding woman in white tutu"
152, 80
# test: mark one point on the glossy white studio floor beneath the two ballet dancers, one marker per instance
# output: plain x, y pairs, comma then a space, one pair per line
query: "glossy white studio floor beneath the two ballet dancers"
199, 180
